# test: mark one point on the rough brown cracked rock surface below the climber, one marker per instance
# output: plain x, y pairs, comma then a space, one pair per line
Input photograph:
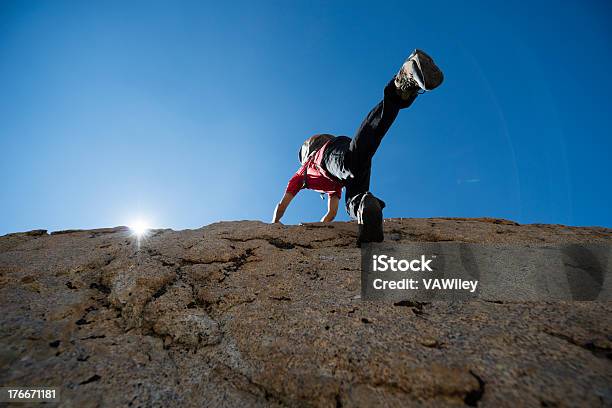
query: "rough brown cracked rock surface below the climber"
253, 314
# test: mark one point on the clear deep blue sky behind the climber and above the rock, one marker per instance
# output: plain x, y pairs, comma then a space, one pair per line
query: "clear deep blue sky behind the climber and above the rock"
185, 113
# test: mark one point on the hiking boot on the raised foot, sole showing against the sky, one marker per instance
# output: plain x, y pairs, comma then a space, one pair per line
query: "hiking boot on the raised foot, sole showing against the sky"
418, 72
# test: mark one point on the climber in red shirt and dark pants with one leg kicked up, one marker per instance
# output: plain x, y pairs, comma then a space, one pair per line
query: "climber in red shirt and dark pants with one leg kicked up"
329, 163
